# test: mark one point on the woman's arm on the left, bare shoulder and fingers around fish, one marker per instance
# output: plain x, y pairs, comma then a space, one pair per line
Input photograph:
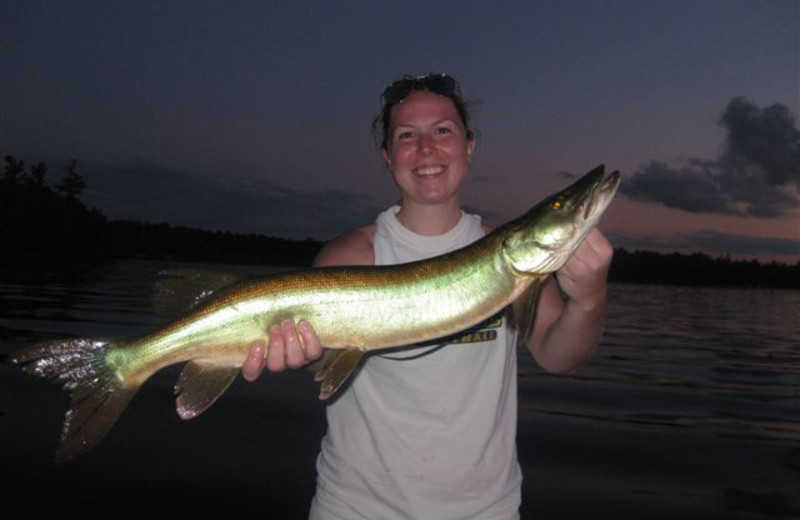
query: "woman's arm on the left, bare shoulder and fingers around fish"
295, 345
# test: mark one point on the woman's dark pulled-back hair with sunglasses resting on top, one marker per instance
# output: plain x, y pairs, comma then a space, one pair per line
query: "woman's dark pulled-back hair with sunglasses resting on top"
441, 84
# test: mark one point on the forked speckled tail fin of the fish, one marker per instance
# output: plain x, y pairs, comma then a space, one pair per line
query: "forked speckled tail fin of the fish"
97, 395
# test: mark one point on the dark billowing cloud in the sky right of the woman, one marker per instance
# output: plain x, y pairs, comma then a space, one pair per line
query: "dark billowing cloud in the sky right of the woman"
757, 174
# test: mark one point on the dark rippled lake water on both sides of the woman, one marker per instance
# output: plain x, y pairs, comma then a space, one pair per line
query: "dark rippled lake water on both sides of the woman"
690, 409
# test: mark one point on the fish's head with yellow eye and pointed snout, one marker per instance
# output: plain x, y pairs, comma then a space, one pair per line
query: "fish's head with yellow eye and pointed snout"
542, 240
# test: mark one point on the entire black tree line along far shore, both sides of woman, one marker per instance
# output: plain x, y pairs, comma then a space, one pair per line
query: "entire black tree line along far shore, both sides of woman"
44, 227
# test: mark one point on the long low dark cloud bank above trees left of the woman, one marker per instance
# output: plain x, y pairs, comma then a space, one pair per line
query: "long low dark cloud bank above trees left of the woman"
147, 191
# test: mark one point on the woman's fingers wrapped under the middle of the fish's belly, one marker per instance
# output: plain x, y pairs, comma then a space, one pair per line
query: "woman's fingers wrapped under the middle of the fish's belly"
289, 346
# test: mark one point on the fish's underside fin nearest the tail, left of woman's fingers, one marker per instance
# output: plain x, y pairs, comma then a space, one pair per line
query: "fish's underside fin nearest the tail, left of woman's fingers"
200, 384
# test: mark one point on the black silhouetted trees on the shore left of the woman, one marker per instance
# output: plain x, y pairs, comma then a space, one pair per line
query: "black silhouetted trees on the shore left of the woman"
44, 225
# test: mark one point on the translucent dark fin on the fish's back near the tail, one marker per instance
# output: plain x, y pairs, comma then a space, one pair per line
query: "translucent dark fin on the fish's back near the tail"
179, 290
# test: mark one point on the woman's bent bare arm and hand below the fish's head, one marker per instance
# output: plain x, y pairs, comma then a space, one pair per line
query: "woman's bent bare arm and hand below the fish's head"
566, 332
